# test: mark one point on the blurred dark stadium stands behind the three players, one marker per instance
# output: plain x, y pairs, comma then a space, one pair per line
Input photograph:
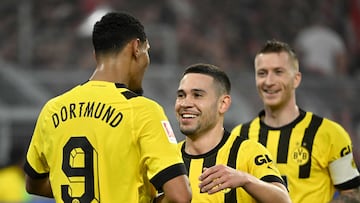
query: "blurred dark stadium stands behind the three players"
45, 49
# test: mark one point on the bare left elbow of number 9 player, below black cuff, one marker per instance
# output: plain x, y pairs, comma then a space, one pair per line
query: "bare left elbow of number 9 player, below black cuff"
40, 187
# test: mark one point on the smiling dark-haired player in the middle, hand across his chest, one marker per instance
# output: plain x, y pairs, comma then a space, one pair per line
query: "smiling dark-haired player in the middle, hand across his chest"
222, 168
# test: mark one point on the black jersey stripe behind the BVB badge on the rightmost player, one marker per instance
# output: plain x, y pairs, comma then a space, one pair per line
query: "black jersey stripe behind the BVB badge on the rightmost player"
308, 141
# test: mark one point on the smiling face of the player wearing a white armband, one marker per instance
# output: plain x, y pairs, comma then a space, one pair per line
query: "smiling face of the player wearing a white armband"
276, 79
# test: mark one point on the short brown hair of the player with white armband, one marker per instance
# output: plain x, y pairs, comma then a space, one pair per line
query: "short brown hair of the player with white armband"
276, 46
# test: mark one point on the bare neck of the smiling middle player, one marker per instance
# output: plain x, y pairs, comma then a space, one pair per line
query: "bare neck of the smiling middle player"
204, 142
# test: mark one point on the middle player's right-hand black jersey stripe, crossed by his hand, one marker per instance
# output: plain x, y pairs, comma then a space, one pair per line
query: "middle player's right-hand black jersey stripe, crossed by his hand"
230, 197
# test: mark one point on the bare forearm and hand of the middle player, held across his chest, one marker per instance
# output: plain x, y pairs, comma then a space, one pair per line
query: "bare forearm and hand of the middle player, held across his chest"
221, 177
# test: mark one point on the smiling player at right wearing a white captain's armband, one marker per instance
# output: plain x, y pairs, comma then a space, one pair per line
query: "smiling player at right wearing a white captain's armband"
313, 154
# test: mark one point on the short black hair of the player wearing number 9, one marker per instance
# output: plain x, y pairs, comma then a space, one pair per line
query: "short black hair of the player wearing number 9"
114, 30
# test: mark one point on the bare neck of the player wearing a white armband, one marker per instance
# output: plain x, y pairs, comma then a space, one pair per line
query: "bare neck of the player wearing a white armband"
280, 117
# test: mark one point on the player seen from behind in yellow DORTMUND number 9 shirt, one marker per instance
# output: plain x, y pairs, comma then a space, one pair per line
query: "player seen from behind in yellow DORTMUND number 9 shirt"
102, 141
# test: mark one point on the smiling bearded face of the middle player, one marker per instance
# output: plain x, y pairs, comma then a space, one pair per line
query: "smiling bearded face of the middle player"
198, 105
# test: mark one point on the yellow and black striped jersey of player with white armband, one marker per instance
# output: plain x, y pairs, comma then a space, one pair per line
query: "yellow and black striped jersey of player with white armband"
313, 154
